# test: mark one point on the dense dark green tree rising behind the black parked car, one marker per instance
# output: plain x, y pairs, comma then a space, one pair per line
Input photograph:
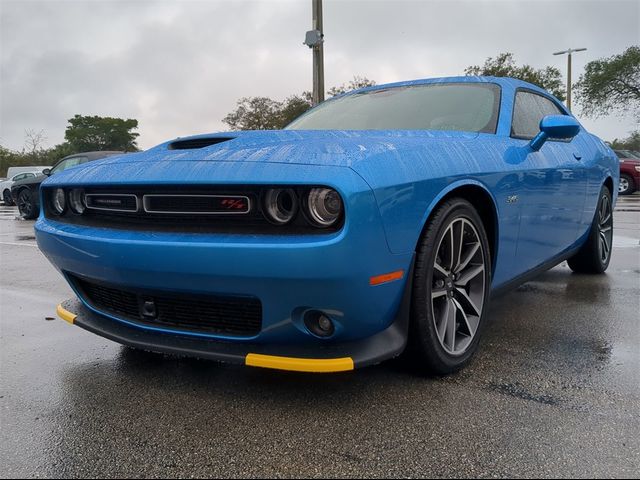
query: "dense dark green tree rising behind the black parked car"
88, 133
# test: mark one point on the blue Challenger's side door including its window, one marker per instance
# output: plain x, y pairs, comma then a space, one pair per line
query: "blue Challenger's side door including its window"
553, 184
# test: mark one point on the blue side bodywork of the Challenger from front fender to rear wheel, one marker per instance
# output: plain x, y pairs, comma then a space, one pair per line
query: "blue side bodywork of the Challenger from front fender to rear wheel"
534, 193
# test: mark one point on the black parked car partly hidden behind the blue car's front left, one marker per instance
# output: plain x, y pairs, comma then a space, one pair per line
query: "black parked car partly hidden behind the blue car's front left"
25, 192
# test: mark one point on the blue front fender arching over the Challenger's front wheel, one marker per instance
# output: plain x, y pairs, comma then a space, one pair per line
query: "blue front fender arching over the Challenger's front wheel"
406, 196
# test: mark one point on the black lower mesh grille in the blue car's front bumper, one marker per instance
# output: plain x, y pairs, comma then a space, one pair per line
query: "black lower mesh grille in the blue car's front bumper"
226, 315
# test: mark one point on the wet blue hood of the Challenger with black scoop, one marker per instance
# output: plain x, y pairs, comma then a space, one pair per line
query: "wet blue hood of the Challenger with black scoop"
356, 149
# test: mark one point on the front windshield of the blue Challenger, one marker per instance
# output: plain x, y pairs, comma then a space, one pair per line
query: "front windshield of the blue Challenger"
466, 107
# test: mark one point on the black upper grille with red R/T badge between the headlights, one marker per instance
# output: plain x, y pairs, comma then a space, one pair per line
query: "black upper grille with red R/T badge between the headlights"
204, 215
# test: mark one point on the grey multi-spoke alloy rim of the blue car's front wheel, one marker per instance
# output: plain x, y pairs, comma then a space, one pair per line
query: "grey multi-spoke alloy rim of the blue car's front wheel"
458, 286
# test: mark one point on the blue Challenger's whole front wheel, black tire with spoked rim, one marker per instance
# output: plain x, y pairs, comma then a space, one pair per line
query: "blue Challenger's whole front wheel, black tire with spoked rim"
426, 345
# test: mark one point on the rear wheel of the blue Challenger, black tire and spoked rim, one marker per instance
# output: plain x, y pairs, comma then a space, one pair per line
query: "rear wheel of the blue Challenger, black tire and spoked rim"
595, 254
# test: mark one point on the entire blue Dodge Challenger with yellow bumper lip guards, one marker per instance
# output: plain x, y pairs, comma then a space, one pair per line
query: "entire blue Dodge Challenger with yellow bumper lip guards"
380, 221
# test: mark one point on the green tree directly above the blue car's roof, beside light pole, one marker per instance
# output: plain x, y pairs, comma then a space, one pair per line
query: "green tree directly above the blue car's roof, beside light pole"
504, 65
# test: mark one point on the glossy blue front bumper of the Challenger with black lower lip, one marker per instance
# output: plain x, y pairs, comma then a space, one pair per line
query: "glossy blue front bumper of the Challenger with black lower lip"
289, 274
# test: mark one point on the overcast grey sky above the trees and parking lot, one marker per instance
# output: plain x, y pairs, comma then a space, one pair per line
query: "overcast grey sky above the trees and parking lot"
179, 66
